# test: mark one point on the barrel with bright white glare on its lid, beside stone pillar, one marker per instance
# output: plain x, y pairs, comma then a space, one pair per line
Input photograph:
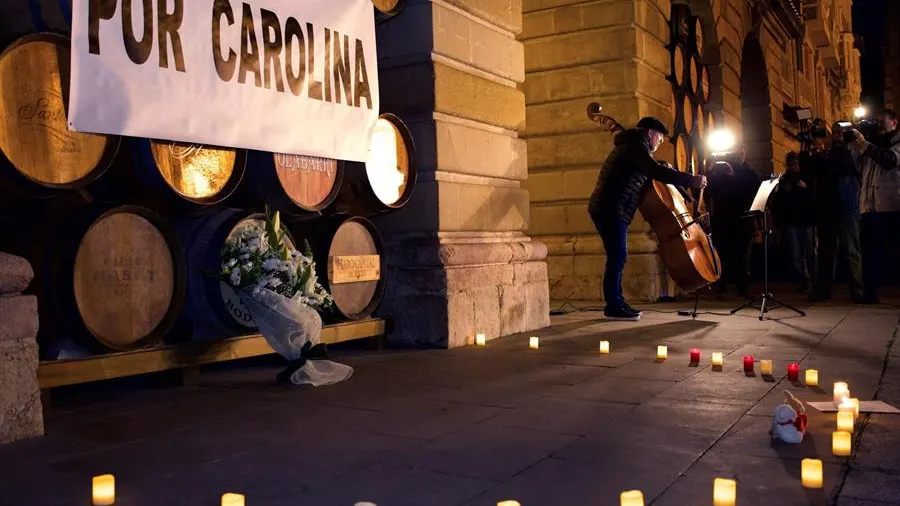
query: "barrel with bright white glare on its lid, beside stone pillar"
387, 179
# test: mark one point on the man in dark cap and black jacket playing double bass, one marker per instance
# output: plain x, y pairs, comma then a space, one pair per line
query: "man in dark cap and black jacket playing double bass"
623, 181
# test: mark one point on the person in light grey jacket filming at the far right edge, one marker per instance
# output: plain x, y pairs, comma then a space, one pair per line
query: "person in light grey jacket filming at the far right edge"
879, 199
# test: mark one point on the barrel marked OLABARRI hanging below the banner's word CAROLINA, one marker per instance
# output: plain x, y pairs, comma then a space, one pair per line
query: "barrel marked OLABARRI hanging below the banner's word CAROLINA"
298, 186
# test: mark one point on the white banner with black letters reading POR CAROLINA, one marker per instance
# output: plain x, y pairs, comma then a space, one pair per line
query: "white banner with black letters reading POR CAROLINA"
286, 76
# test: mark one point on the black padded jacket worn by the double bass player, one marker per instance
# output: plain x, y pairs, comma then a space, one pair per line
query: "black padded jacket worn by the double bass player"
626, 176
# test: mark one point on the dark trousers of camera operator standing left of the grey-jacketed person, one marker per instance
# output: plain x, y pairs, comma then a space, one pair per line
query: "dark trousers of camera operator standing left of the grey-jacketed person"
839, 242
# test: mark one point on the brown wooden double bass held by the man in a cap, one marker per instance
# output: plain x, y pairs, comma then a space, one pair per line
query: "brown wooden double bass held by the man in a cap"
685, 244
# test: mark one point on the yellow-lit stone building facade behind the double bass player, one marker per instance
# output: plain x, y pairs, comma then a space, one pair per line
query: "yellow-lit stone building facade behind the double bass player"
762, 56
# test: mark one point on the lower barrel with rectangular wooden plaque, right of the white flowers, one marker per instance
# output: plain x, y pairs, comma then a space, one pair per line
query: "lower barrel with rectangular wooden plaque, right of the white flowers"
350, 263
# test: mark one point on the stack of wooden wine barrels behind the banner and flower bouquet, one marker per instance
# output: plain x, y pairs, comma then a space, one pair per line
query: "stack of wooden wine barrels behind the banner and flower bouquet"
123, 232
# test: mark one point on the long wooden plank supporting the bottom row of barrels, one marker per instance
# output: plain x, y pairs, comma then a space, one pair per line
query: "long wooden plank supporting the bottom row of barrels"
56, 373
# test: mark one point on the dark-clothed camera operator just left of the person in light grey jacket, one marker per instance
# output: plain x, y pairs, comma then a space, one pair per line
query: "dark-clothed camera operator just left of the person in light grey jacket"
837, 211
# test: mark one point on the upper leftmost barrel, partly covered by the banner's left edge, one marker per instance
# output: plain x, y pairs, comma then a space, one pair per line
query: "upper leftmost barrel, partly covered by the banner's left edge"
41, 157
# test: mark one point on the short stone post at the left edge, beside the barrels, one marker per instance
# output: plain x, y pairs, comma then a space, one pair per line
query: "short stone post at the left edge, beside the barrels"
21, 415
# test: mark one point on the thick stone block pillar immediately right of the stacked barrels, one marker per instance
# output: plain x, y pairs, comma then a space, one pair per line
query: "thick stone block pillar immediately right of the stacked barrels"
459, 260
